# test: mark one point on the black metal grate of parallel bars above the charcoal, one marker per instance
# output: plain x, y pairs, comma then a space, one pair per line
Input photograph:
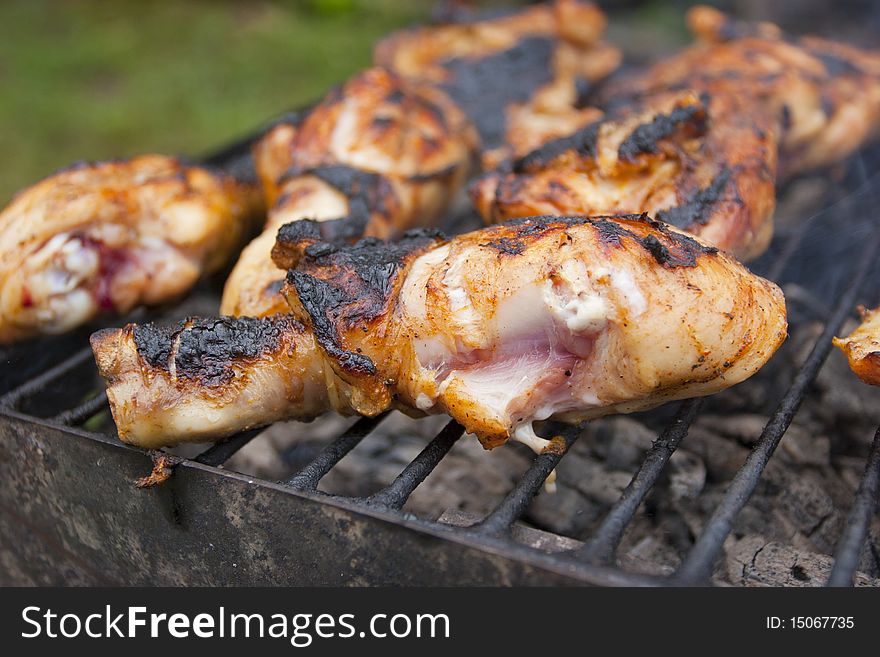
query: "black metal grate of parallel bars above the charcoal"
593, 561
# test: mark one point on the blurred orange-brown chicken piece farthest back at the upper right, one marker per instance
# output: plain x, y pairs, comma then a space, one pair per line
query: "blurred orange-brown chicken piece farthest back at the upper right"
825, 96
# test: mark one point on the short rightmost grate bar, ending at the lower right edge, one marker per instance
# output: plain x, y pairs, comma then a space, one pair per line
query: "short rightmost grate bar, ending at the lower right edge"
846, 558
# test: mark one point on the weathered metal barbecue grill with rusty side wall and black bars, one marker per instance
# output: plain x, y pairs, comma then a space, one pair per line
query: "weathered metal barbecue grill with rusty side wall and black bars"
70, 513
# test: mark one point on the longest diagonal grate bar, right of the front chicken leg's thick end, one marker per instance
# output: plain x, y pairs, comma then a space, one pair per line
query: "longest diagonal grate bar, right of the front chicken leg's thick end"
697, 565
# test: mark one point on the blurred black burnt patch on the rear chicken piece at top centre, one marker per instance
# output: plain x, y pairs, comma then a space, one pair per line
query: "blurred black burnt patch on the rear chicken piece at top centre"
484, 87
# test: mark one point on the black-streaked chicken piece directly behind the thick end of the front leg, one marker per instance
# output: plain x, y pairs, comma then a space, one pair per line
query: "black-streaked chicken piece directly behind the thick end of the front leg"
704, 164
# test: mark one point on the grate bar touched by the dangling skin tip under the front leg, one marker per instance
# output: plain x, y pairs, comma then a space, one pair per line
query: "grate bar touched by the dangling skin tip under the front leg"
518, 499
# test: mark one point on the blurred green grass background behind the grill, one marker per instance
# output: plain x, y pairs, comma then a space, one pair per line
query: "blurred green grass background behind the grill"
96, 79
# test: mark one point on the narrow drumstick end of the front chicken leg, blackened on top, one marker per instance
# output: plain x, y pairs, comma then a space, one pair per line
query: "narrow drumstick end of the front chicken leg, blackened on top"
203, 379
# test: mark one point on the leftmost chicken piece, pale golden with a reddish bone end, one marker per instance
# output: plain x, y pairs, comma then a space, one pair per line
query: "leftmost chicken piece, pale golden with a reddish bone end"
113, 235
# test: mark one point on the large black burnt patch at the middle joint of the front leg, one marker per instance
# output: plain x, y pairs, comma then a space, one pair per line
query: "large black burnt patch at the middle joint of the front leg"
346, 286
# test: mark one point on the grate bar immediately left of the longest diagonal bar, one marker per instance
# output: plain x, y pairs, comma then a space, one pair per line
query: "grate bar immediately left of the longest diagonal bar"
602, 546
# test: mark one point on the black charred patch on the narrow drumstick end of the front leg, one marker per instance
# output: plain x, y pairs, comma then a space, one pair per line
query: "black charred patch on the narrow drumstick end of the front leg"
207, 349
